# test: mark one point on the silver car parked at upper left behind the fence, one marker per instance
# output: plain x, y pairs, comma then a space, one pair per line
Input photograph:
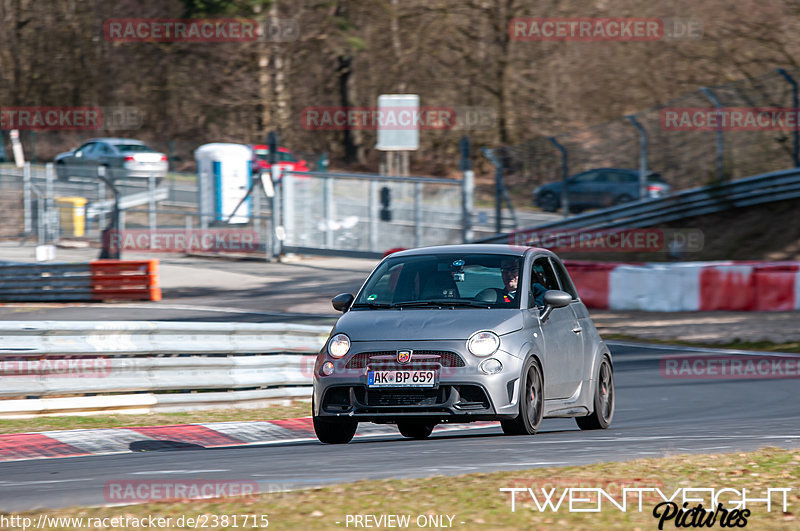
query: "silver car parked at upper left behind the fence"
120, 158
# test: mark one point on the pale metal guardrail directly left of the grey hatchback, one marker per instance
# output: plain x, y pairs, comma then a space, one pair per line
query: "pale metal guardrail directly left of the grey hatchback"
166, 365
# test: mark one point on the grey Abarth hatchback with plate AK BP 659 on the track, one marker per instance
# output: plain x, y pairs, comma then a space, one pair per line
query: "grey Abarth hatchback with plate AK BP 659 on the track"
462, 333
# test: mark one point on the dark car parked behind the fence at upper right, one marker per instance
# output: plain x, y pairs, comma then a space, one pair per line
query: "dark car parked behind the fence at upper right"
598, 188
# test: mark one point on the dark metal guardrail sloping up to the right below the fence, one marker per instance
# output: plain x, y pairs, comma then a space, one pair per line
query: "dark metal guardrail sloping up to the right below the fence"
759, 189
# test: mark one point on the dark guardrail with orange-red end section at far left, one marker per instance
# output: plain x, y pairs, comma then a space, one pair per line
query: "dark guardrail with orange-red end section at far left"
91, 281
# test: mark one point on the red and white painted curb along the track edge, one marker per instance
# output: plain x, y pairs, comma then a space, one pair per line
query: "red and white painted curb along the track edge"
75, 443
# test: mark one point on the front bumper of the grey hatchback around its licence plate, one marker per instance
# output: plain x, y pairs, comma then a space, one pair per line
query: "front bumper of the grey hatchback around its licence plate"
462, 393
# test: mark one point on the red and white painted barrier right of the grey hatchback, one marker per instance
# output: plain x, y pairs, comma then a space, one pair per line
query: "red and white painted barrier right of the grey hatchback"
688, 286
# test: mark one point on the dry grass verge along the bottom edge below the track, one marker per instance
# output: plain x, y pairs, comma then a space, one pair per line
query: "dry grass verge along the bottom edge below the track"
476, 500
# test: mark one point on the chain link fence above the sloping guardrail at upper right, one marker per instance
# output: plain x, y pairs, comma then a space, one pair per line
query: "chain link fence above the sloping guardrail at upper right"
684, 158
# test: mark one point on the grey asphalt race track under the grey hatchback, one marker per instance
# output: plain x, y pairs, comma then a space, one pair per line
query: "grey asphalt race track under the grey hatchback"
654, 417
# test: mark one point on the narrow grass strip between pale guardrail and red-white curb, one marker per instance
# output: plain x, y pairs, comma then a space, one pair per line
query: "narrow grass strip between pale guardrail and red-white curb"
274, 412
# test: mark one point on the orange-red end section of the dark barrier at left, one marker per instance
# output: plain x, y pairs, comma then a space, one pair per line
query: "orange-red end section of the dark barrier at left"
125, 280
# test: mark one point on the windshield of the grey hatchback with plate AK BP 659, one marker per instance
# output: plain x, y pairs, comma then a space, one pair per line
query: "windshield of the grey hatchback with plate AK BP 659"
443, 280
